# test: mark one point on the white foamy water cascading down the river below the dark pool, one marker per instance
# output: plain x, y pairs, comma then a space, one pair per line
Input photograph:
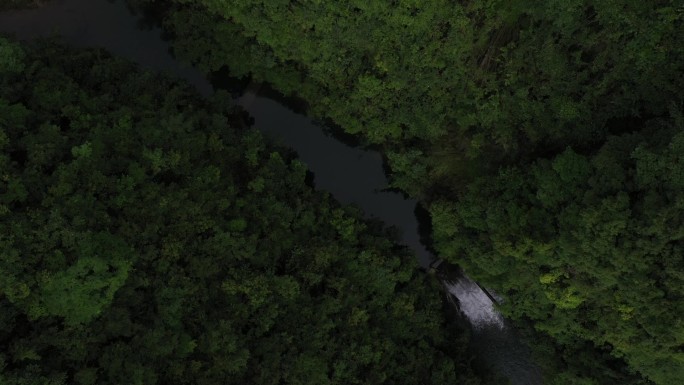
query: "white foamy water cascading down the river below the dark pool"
475, 304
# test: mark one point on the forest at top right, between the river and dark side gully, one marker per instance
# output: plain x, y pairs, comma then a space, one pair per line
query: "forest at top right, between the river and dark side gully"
464, 83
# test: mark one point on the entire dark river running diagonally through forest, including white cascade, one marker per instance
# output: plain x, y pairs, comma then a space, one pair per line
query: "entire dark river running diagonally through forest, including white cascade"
351, 175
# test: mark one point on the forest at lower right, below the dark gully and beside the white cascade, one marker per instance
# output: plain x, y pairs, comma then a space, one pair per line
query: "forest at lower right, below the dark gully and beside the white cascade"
586, 247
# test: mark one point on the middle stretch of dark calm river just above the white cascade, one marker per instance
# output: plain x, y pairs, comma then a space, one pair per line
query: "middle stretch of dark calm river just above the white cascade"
352, 175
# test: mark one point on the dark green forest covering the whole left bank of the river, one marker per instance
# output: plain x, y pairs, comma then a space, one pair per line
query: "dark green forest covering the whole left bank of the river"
146, 238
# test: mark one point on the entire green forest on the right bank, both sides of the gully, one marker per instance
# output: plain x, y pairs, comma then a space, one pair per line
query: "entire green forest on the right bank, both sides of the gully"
544, 136
